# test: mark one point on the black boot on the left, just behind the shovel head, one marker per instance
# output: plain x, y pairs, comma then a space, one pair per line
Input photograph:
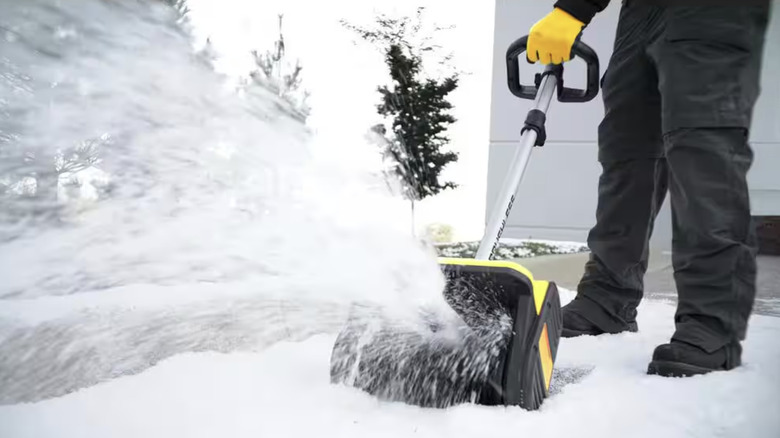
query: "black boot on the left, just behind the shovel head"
583, 316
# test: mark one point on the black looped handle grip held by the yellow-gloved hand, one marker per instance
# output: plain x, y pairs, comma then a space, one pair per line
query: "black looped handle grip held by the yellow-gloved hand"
579, 49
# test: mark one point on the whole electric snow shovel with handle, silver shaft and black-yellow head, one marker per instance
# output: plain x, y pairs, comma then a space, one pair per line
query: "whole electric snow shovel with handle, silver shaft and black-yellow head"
499, 343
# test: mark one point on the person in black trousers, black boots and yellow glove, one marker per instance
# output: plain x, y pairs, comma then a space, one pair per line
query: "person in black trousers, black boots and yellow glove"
678, 94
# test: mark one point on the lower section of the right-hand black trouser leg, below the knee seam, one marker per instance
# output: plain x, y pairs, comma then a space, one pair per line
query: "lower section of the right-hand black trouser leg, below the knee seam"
713, 247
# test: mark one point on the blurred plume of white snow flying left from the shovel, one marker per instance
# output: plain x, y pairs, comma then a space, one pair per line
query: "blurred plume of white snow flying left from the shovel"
148, 208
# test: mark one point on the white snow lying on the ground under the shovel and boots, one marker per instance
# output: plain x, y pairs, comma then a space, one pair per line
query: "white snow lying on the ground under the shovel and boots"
284, 391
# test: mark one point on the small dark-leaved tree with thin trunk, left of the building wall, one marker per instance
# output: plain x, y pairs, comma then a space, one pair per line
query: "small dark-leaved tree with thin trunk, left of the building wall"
416, 107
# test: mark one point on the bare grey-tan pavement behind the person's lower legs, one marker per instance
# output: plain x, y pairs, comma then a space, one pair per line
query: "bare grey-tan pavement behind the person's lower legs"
566, 270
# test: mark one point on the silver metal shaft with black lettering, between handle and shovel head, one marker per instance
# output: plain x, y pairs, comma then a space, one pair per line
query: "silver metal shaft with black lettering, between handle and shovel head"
506, 197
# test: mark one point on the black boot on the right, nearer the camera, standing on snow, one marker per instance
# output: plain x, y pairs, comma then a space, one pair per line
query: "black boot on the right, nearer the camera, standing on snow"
680, 359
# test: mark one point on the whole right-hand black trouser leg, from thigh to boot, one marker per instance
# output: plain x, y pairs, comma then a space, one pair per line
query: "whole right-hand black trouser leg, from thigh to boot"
709, 62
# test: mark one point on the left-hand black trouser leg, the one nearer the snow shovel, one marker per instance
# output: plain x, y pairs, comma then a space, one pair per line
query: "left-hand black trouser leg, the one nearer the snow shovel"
633, 182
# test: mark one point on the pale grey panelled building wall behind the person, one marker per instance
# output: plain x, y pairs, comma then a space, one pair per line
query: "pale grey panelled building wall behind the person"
557, 199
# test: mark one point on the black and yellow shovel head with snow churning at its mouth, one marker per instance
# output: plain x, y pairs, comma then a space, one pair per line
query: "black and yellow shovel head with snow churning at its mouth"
496, 348
